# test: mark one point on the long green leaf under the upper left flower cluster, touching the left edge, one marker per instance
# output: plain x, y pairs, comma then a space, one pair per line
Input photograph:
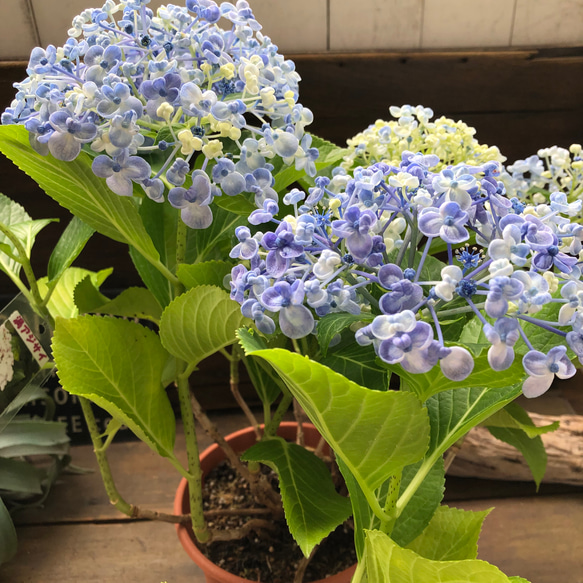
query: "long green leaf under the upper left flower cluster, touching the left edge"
74, 186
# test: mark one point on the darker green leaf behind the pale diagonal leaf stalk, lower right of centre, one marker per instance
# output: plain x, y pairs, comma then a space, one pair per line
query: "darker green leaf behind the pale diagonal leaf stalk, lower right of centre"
420, 510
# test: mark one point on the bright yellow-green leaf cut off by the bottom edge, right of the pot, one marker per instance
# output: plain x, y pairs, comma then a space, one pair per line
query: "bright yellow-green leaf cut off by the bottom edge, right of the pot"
386, 562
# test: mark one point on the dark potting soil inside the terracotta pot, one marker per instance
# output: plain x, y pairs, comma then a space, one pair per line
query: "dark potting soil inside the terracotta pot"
271, 557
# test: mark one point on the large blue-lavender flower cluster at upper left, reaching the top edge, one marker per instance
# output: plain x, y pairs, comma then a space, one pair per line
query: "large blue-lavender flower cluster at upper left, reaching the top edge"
168, 87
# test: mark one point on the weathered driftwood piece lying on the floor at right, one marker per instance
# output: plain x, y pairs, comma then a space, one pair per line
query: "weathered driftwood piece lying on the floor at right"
484, 456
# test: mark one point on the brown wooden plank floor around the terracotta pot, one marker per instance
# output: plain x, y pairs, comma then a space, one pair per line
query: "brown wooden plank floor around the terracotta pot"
78, 537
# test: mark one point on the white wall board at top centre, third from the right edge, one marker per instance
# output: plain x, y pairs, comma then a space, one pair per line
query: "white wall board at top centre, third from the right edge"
375, 24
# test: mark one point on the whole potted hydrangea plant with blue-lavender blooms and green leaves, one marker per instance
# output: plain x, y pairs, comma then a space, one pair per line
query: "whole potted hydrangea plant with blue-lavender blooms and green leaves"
416, 264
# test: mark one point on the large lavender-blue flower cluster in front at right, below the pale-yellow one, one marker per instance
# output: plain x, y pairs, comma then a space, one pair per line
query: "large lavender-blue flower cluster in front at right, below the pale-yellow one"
351, 246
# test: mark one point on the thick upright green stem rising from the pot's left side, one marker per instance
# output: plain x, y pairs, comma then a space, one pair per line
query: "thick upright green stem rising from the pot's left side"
199, 525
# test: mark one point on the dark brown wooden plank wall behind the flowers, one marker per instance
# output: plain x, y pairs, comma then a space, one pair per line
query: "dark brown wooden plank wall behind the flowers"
517, 100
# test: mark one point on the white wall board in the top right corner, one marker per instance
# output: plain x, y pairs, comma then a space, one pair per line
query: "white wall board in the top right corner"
548, 23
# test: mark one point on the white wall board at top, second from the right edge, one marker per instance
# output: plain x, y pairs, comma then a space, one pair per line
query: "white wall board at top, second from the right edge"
467, 23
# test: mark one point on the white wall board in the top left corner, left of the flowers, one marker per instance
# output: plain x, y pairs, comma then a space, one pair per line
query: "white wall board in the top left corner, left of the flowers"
17, 37
